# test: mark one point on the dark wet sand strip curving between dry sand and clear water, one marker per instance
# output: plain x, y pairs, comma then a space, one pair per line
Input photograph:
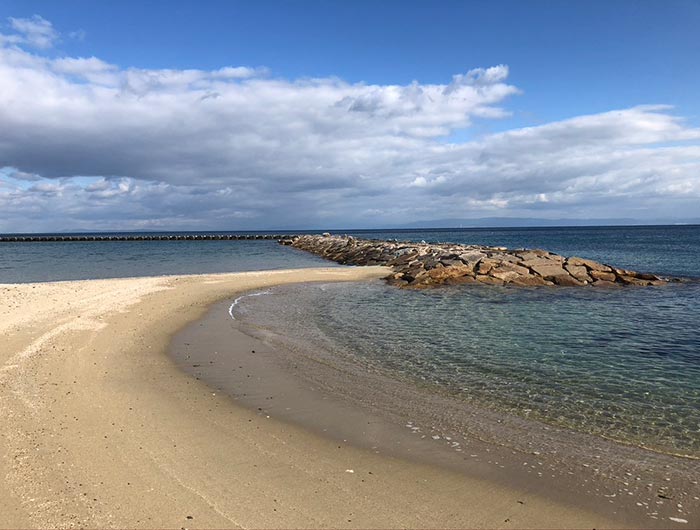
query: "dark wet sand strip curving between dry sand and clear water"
337, 399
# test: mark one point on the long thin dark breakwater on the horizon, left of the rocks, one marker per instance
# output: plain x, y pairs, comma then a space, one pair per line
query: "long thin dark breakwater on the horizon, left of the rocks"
143, 237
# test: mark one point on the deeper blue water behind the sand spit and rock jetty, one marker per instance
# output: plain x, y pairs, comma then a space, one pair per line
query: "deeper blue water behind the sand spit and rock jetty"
671, 250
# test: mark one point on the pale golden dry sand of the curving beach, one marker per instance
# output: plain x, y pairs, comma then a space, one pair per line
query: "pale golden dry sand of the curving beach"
100, 429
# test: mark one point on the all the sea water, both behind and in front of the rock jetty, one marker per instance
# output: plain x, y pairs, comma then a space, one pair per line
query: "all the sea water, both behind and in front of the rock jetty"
621, 364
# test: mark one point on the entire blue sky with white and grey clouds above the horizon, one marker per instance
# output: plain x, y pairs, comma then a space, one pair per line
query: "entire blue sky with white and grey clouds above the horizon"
177, 115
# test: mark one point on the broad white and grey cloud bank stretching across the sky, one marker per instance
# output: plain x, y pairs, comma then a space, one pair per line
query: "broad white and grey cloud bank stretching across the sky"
234, 147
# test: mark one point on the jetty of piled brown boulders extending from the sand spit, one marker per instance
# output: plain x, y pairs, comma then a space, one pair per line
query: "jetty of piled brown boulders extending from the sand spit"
420, 265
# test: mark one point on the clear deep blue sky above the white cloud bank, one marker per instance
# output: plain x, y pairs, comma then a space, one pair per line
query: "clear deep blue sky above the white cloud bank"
568, 58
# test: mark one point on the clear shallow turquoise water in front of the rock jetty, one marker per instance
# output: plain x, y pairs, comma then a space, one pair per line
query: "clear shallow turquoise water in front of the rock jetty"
623, 364
